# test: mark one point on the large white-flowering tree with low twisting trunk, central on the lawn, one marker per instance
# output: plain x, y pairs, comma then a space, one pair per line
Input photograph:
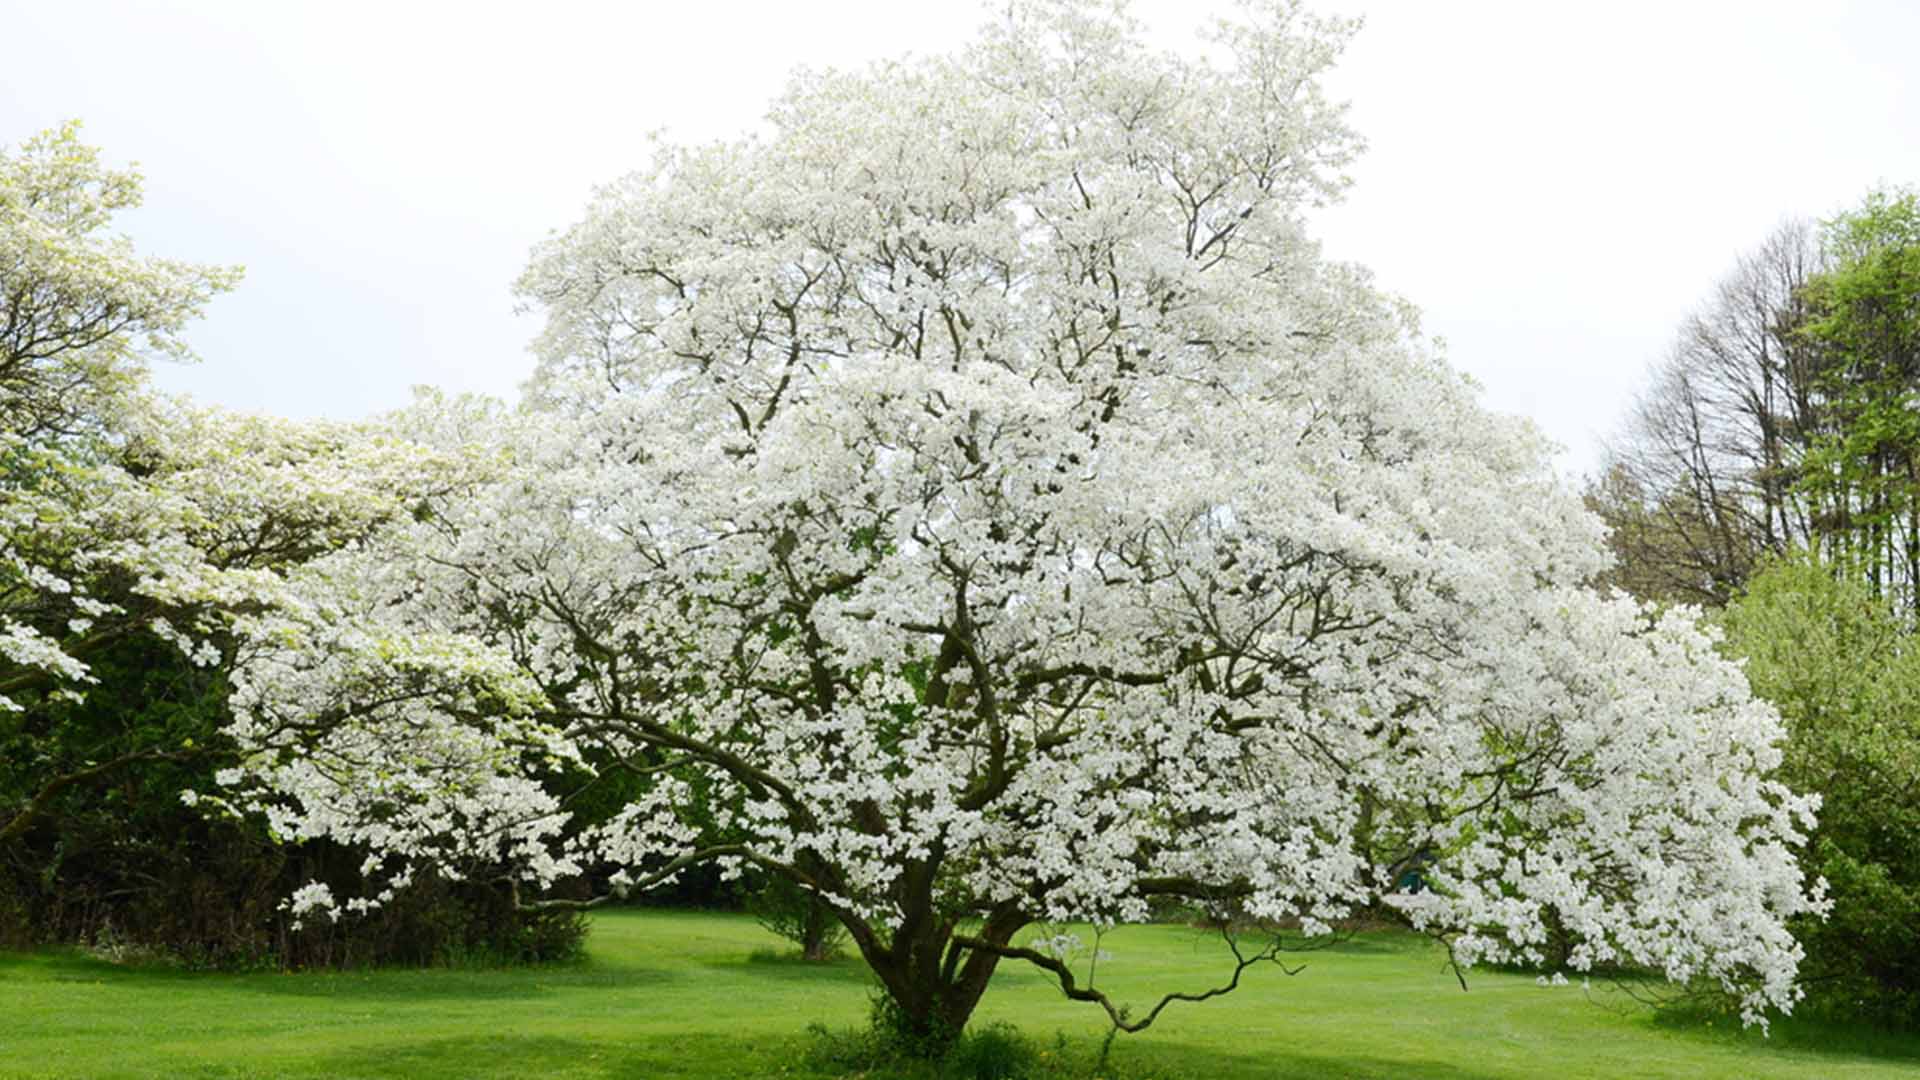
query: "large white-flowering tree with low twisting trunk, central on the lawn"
978, 503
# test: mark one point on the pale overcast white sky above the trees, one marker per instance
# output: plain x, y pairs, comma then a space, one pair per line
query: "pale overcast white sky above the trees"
1552, 184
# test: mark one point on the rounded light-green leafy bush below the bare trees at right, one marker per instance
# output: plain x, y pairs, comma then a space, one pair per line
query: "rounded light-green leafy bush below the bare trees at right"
1846, 677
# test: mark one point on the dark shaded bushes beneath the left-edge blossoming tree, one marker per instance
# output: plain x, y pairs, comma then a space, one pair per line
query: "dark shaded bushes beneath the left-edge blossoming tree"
118, 860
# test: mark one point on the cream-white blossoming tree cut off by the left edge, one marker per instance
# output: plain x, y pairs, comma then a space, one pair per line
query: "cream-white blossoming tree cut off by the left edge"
126, 514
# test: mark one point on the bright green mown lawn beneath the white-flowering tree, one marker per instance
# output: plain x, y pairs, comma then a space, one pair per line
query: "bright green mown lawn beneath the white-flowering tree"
681, 994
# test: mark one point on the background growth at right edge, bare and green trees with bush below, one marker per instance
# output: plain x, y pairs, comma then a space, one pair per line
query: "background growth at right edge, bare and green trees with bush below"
1771, 472
